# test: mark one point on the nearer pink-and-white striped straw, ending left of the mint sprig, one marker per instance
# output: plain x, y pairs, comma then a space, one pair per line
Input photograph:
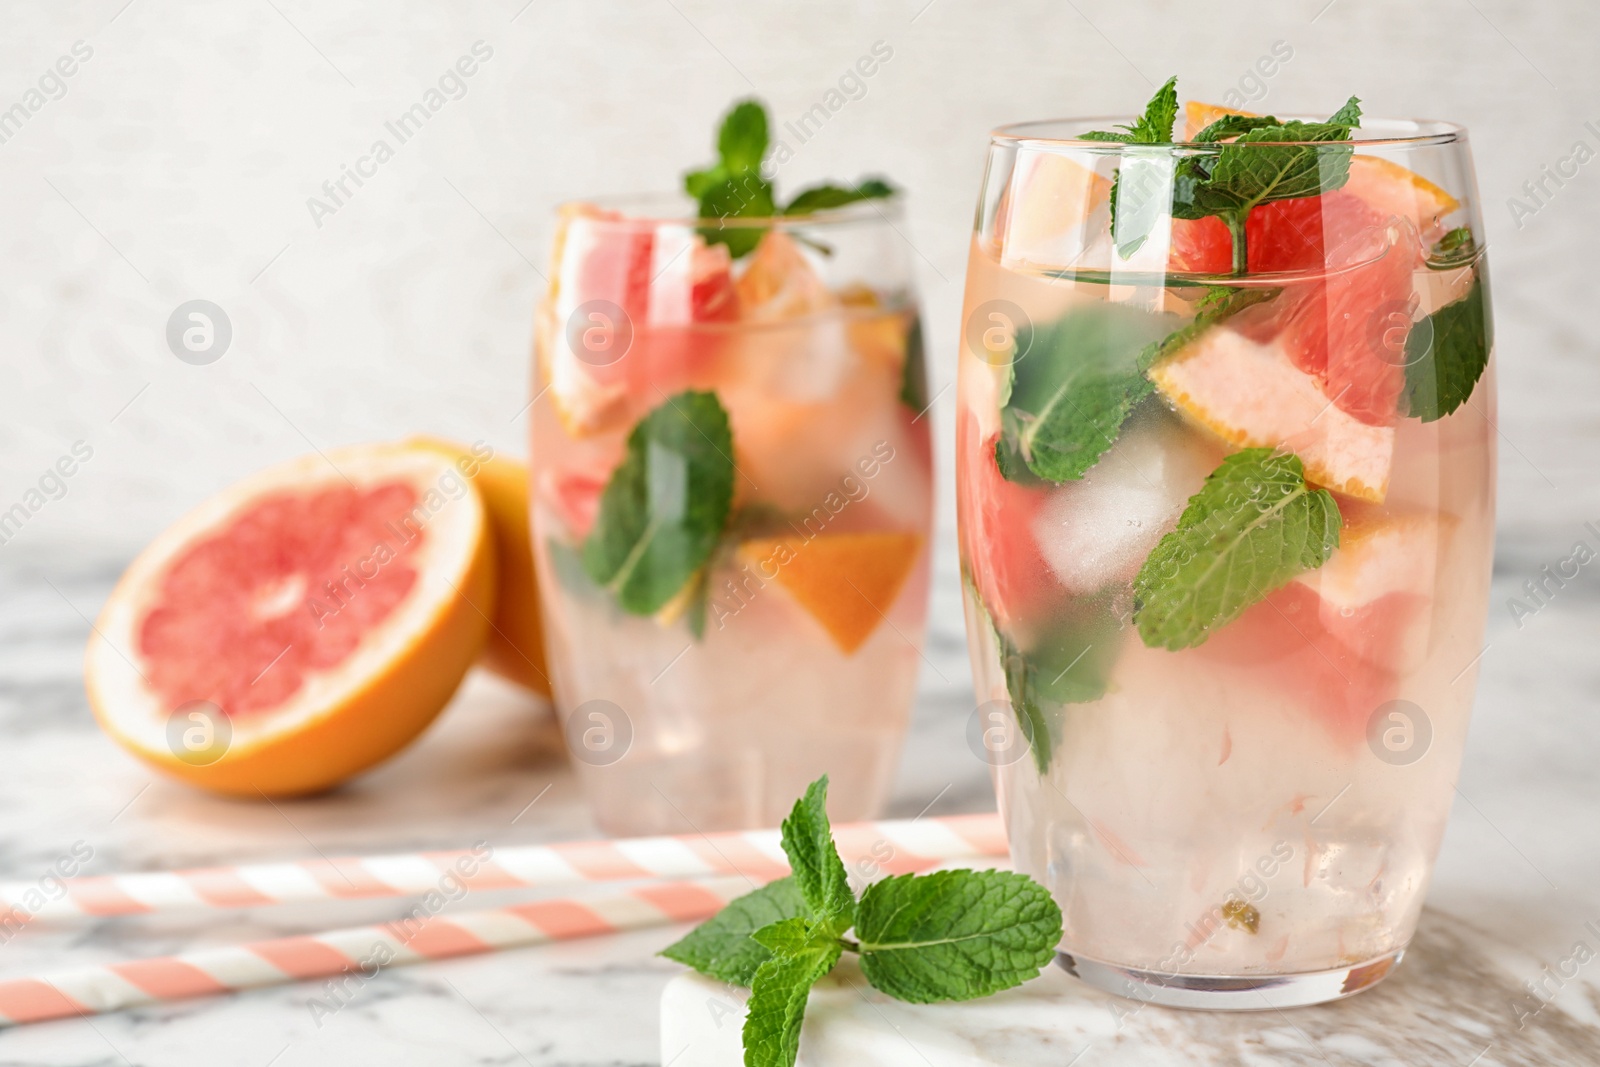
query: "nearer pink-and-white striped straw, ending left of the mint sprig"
359, 951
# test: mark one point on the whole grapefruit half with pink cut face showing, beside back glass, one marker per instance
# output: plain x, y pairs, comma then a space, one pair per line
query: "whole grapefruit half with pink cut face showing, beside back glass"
300, 626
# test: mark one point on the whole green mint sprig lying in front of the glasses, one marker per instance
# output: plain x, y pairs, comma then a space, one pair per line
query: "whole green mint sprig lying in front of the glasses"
954, 935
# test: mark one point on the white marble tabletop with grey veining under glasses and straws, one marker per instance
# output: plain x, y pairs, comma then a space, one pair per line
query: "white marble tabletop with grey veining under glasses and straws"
1516, 884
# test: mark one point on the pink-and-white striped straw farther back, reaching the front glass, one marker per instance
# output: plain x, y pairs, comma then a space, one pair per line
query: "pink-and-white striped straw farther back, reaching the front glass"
894, 847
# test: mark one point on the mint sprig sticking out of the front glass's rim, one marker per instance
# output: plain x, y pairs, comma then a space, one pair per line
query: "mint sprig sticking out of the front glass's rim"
1257, 161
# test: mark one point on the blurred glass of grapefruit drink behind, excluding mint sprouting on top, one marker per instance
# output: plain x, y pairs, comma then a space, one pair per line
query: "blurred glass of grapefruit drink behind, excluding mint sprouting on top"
732, 500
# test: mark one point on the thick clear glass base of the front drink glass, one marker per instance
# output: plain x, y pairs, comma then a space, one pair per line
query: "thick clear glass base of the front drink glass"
1218, 993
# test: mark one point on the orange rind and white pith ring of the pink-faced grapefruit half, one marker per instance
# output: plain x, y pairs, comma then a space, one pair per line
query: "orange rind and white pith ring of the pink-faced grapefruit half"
340, 722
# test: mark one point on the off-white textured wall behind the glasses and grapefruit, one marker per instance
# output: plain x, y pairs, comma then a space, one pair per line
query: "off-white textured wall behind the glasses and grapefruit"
180, 161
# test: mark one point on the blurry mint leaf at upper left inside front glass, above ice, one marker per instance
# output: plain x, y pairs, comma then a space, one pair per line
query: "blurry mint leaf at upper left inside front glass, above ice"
1073, 385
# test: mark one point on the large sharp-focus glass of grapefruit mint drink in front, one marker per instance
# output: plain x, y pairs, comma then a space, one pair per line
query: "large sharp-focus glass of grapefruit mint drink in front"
1226, 486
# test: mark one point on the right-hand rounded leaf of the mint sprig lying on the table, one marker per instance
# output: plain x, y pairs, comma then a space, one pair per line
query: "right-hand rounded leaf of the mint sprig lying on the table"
956, 935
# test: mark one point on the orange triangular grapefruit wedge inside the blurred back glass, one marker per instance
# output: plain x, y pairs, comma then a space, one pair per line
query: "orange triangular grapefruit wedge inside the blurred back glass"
846, 581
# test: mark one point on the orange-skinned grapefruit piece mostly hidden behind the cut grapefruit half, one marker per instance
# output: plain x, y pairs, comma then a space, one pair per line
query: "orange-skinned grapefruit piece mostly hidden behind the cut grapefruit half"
516, 642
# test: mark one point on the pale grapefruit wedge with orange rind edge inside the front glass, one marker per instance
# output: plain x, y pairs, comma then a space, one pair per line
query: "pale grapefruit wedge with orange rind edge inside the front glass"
1252, 396
